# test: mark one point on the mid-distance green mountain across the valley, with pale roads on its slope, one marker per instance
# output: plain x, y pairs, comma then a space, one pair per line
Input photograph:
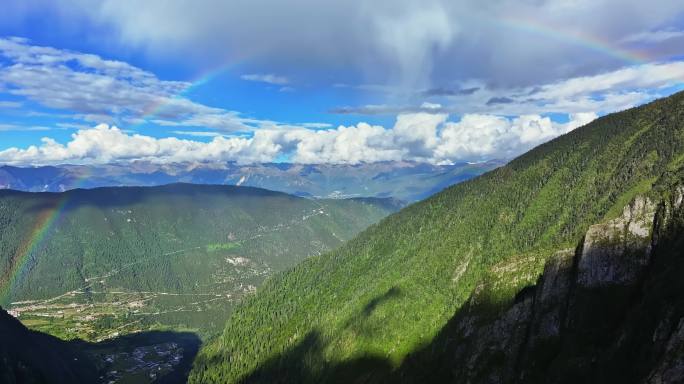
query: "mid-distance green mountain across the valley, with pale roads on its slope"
94, 264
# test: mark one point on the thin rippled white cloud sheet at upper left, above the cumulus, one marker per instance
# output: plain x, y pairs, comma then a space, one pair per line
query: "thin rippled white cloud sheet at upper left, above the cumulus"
100, 90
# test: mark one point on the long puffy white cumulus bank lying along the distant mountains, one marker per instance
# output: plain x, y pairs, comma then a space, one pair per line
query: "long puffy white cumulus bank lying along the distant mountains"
418, 137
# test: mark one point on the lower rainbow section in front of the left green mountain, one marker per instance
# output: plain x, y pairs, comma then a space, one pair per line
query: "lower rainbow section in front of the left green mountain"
42, 227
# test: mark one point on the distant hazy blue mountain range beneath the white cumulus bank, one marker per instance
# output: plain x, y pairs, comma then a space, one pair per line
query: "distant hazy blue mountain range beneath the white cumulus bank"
406, 181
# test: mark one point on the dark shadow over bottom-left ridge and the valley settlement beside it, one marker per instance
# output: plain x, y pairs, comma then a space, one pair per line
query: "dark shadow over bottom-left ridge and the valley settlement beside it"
28, 356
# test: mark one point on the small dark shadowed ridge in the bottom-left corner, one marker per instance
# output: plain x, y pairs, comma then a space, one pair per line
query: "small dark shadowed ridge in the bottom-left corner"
32, 357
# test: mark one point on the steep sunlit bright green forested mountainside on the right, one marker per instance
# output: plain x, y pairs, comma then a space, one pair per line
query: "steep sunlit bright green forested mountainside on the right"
355, 314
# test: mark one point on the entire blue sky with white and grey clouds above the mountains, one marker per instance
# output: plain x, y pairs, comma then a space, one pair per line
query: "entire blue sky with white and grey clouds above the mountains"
321, 82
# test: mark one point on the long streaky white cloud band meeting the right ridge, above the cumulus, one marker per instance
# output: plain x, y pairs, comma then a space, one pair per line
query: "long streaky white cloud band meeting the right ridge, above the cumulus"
605, 92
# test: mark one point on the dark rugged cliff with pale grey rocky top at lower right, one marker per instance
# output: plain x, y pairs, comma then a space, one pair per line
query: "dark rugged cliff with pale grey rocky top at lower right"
610, 311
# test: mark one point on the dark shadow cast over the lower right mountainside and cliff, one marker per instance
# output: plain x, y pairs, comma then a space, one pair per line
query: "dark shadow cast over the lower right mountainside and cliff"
560, 330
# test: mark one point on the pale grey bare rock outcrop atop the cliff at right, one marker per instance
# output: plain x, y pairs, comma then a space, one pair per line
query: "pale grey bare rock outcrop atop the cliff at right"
618, 251
